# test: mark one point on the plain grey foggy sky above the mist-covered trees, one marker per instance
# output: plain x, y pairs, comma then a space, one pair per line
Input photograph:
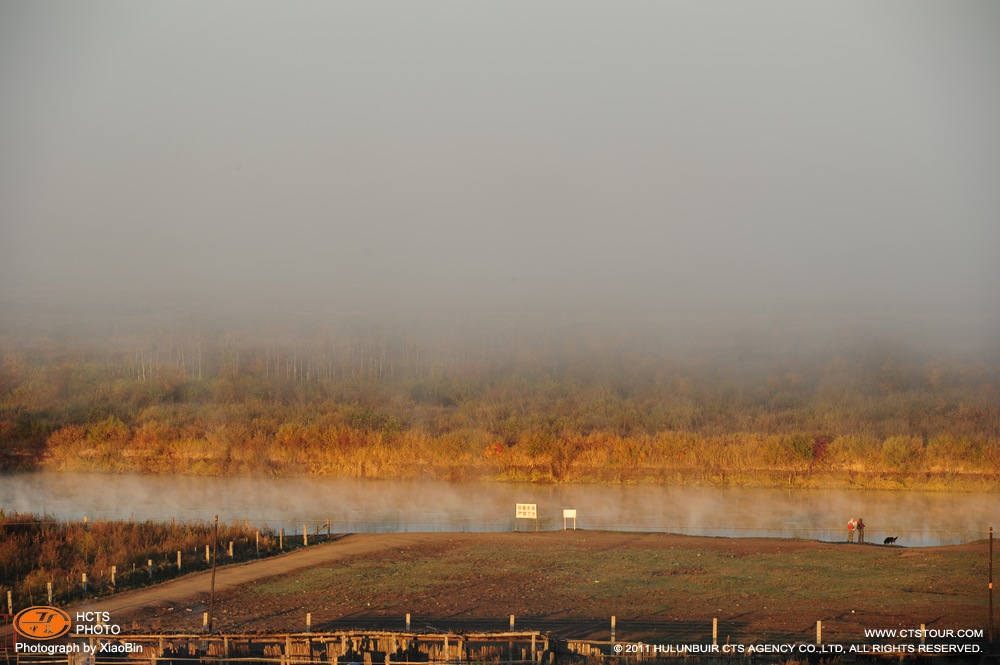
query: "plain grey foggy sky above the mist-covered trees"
571, 156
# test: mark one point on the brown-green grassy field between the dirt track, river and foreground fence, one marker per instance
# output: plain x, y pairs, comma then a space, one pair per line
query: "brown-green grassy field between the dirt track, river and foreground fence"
662, 588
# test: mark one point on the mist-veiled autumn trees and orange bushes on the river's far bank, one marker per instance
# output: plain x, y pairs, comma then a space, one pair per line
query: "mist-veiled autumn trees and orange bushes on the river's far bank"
568, 405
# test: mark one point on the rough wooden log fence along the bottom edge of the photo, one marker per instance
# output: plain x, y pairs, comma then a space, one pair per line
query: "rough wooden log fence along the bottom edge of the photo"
374, 647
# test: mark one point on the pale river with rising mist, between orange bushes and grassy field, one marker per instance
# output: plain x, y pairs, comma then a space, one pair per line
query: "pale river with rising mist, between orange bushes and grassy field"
917, 518
